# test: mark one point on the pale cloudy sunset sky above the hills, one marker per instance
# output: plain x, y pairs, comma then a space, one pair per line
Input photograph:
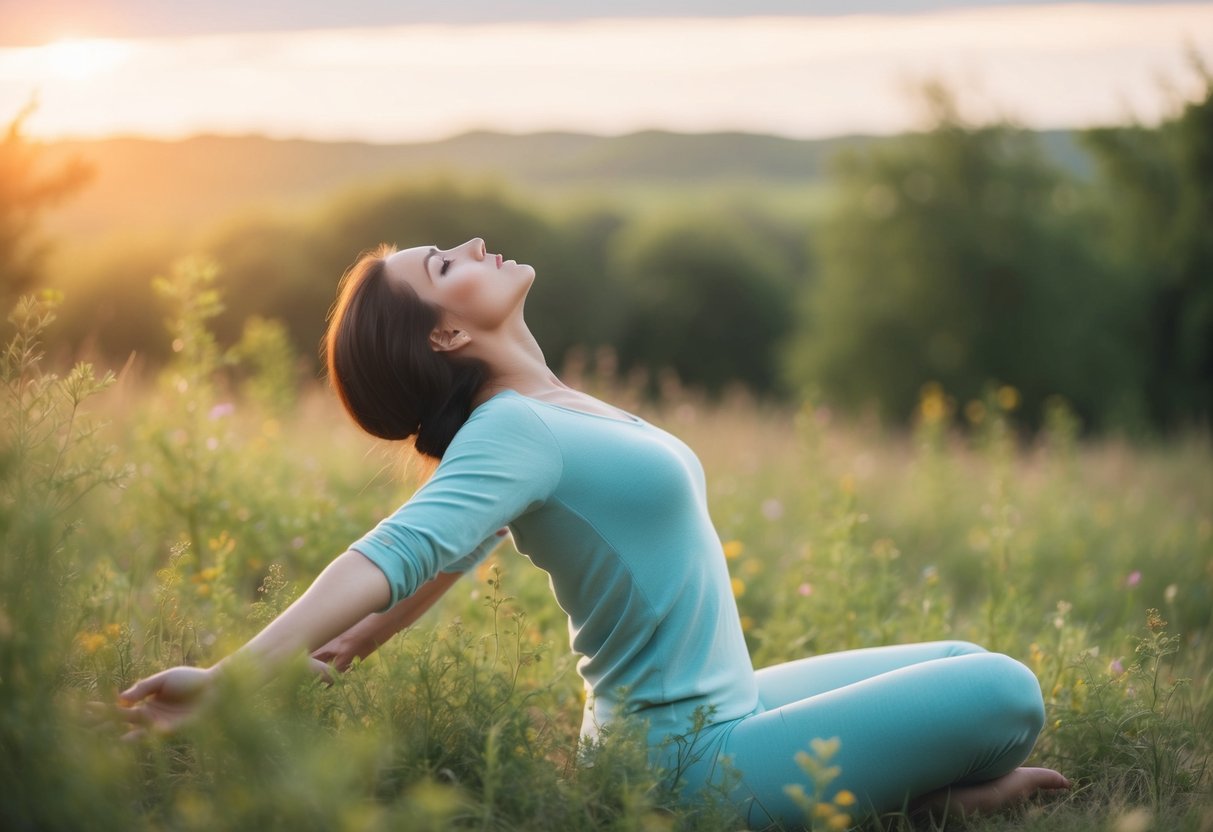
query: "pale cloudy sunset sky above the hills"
397, 71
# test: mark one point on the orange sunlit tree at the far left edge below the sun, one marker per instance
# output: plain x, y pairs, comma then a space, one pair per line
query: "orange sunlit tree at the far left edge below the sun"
25, 195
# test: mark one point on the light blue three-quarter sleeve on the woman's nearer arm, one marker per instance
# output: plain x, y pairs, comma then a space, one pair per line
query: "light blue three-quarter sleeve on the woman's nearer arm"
503, 464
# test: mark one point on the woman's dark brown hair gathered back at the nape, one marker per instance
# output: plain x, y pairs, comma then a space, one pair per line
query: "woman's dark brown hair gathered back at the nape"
380, 362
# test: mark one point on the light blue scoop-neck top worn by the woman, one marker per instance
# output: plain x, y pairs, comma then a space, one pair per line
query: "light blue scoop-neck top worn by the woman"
616, 512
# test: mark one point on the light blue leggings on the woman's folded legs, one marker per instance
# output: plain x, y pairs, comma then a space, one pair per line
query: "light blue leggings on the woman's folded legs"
912, 719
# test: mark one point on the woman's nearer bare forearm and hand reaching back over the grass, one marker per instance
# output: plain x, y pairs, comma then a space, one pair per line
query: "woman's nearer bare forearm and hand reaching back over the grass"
345, 594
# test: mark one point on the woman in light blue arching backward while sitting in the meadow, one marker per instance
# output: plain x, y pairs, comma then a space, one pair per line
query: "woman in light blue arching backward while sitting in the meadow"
432, 344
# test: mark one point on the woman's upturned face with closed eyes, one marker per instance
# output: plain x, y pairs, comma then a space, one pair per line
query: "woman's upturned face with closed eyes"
477, 290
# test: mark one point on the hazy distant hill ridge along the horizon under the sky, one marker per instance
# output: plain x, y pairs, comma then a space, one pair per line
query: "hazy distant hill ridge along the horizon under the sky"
185, 186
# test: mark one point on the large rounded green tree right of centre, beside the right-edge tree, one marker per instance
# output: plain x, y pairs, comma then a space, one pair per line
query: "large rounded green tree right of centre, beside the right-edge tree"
960, 257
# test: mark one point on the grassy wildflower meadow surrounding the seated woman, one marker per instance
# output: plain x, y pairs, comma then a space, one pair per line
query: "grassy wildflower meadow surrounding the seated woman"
162, 518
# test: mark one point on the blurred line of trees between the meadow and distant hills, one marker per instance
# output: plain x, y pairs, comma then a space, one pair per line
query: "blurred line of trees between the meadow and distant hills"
959, 257
